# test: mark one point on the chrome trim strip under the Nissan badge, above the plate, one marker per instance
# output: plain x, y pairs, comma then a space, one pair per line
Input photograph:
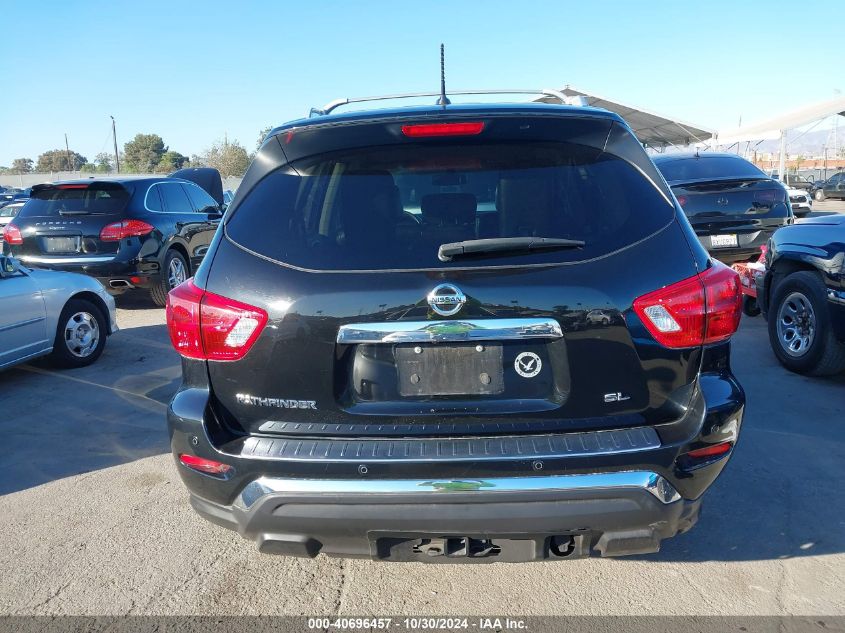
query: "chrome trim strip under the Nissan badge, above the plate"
445, 331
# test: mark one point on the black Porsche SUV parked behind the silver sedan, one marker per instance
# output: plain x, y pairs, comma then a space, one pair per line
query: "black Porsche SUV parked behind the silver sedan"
145, 233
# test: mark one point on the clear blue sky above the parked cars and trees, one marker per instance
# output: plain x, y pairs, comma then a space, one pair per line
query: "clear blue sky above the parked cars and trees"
194, 71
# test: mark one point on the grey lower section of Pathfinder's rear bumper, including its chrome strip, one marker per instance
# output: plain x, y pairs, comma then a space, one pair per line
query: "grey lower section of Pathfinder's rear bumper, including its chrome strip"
519, 519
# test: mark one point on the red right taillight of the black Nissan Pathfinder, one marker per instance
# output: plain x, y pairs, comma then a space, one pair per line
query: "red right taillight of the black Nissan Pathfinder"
699, 310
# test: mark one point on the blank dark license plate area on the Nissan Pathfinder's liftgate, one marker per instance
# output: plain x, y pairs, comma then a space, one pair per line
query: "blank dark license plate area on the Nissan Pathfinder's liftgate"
461, 369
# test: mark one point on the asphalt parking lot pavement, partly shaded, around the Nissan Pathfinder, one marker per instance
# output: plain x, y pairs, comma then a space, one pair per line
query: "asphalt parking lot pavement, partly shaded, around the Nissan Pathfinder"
96, 521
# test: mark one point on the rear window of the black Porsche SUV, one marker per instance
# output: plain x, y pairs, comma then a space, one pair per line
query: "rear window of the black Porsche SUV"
96, 199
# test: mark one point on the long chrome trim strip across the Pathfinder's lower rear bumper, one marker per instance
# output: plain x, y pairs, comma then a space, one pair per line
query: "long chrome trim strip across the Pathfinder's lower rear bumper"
647, 481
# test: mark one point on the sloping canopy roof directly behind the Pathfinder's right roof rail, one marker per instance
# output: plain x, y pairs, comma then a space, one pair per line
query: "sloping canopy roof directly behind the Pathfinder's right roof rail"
653, 130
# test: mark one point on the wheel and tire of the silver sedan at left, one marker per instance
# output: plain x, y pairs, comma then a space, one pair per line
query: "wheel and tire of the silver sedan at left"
80, 335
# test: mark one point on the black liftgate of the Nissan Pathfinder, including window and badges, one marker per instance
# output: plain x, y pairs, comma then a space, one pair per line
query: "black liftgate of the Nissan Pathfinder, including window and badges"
376, 329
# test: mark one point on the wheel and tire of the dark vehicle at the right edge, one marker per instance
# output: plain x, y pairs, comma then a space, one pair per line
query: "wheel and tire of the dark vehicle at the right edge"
799, 326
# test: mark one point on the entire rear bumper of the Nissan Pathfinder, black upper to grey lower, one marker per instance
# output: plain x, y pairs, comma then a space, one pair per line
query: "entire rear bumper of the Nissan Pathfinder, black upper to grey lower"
612, 502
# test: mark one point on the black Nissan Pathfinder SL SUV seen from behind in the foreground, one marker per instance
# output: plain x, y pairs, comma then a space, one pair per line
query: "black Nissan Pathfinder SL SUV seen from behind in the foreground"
464, 333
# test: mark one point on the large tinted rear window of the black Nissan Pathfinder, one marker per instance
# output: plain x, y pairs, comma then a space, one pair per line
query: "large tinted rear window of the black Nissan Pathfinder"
389, 208
